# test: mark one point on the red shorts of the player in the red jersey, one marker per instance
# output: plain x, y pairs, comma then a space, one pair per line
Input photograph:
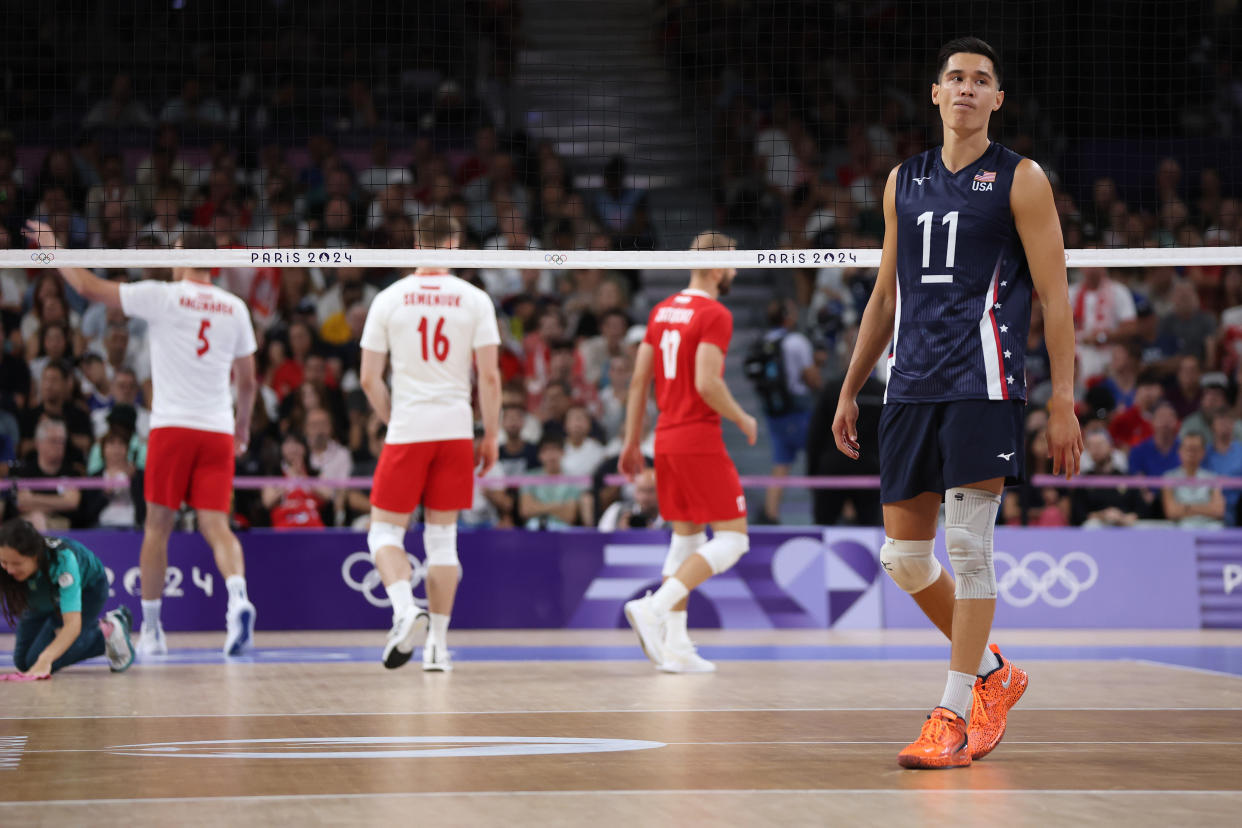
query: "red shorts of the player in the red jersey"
699, 488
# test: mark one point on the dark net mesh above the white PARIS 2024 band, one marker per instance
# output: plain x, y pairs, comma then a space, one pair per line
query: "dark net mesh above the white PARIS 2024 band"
333, 125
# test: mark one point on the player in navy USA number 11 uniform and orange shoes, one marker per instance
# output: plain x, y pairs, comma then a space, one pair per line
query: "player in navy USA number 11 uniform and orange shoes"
969, 228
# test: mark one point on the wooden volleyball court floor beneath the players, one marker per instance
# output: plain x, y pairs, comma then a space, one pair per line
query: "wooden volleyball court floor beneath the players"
556, 742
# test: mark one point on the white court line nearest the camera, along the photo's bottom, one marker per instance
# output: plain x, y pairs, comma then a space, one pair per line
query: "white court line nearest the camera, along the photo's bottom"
440, 795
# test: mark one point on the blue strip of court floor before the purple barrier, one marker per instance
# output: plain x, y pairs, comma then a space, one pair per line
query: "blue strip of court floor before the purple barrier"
1217, 660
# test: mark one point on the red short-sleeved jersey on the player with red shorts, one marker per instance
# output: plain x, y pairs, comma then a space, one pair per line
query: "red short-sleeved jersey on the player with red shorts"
676, 328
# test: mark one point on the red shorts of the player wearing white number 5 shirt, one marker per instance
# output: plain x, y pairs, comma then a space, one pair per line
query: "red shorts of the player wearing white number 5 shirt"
189, 466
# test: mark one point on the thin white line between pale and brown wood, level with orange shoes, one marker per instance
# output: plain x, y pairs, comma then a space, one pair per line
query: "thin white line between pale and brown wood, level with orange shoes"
573, 713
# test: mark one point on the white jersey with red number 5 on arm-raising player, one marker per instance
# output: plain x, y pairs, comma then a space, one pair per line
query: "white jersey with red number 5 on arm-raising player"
196, 332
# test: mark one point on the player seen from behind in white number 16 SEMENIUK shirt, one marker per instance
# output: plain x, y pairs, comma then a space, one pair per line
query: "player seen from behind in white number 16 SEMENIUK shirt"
437, 327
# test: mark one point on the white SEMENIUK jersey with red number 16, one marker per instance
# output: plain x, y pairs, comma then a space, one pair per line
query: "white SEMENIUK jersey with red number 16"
432, 326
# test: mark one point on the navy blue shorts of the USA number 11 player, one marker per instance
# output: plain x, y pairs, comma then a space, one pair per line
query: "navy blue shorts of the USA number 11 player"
937, 446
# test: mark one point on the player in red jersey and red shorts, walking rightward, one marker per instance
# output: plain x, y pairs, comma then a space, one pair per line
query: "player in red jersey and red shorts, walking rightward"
696, 482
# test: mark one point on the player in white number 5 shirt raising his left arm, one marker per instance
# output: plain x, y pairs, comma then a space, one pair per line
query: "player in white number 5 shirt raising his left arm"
199, 336
